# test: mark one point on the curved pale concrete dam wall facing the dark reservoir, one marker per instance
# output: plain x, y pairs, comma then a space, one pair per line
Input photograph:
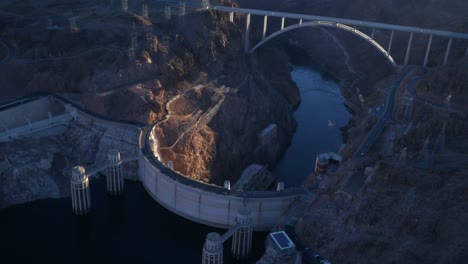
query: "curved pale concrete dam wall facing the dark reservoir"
210, 204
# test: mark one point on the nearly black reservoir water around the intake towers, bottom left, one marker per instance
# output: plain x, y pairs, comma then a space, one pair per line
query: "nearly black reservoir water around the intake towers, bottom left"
130, 229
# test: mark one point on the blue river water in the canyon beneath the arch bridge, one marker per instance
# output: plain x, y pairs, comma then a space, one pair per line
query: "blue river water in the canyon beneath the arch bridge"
319, 117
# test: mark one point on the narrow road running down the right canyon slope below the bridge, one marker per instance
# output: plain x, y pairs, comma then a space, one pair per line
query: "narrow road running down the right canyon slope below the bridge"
378, 127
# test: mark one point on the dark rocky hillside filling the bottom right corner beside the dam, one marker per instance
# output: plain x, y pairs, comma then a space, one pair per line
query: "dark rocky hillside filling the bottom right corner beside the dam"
400, 214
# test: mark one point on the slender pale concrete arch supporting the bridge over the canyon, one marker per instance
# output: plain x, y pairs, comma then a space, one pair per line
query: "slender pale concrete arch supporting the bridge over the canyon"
352, 30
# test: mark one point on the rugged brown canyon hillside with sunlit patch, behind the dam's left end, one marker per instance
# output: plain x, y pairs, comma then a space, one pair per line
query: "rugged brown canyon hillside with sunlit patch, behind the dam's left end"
204, 49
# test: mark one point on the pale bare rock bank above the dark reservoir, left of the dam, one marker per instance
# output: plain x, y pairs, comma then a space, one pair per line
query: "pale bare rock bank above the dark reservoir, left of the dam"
40, 168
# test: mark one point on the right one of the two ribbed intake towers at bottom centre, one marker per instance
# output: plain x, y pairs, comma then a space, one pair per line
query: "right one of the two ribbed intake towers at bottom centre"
242, 239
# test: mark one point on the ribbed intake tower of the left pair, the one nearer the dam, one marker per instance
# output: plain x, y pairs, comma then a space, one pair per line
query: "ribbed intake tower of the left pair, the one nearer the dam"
115, 180
